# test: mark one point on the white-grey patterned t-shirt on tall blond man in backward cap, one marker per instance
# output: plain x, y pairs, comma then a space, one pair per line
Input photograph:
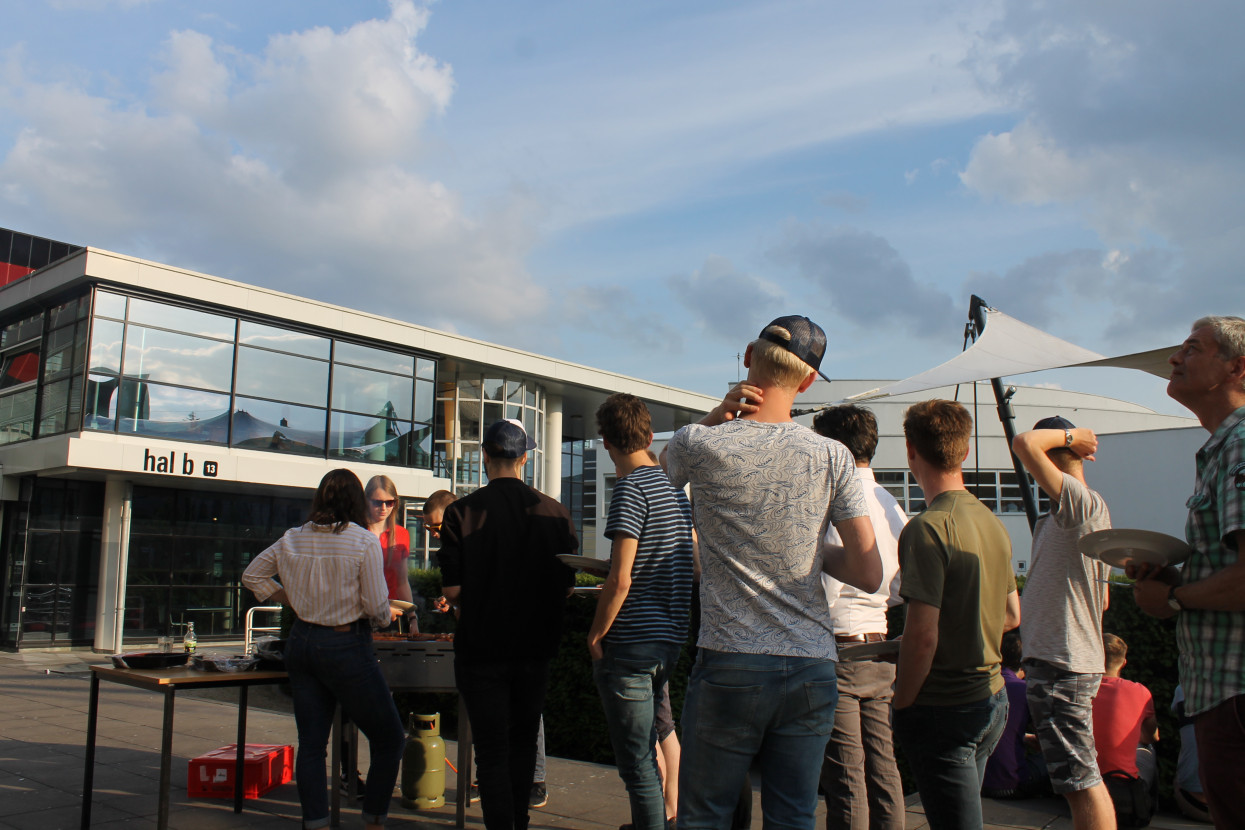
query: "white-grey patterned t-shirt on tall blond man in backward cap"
763, 497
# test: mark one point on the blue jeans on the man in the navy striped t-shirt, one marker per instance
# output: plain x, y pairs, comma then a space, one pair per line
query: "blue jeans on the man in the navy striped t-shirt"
631, 679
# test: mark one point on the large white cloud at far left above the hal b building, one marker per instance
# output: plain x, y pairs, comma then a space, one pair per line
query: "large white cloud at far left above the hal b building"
297, 167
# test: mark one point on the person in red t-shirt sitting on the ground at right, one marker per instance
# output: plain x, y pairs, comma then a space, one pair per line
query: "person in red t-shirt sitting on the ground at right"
1125, 729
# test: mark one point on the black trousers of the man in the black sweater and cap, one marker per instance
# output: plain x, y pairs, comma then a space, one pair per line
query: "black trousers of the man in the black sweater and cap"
504, 700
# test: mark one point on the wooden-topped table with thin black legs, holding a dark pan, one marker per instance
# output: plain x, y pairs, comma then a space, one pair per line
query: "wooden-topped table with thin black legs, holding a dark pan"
167, 683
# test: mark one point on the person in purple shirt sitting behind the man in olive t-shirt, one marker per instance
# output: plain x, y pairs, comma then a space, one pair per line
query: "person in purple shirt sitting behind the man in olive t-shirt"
1012, 773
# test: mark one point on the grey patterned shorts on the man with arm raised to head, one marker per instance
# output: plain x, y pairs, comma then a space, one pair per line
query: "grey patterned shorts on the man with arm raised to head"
1061, 705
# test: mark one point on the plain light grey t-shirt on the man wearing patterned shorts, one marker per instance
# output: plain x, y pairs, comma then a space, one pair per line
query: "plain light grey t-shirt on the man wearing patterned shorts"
1061, 609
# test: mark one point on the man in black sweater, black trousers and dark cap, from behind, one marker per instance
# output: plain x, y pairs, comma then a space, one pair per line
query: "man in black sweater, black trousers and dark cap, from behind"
499, 566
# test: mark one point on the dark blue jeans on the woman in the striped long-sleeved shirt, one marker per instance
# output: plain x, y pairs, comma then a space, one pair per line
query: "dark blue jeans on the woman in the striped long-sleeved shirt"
329, 668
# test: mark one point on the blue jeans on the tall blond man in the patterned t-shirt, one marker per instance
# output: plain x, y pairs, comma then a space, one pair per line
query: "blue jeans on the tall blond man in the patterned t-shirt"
743, 707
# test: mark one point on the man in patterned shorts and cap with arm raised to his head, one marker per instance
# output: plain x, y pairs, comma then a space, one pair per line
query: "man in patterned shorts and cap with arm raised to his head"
1061, 617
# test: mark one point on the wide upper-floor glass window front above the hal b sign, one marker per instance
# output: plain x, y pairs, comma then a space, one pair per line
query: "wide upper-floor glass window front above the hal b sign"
189, 375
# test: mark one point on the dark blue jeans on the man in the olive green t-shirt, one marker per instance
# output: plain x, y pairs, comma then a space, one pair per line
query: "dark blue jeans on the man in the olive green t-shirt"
947, 748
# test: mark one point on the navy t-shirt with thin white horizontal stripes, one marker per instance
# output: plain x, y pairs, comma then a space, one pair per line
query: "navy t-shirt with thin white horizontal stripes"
648, 508
